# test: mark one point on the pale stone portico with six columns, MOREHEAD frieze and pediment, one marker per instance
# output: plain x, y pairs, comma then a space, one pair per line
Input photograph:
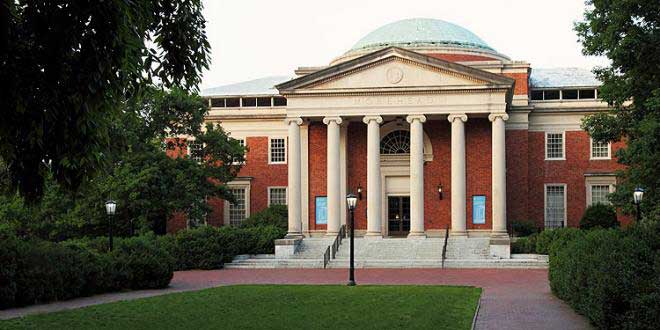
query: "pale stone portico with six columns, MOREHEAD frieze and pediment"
394, 85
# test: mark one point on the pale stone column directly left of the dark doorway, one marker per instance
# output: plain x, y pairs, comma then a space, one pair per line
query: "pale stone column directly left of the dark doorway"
373, 176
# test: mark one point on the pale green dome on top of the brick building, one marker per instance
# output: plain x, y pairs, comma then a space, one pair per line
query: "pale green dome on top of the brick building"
420, 32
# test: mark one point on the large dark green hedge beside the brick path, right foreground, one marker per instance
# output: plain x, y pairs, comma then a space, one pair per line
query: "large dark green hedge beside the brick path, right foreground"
611, 276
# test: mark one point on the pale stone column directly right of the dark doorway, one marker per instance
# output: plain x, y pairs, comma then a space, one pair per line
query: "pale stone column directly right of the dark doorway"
416, 175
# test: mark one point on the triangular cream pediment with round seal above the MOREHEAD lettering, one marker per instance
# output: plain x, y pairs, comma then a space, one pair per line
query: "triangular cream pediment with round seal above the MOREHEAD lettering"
394, 69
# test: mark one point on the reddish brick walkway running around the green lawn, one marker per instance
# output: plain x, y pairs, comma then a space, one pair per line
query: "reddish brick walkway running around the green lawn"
512, 298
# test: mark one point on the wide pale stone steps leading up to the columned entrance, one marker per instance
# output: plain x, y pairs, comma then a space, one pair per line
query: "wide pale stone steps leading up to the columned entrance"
462, 252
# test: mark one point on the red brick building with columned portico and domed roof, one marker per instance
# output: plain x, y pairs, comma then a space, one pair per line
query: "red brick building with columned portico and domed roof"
429, 126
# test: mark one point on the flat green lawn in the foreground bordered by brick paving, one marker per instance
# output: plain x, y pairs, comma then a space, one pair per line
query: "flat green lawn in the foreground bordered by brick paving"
276, 307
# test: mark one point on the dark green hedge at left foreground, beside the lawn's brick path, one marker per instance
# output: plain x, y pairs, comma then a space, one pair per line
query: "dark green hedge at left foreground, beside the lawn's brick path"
35, 271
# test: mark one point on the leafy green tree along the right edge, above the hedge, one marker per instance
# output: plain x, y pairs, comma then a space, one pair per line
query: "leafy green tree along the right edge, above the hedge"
627, 32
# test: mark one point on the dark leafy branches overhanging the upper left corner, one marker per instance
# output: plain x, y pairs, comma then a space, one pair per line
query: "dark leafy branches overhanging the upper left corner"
67, 66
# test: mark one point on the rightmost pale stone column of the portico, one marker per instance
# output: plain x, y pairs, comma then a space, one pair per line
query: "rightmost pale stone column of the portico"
499, 174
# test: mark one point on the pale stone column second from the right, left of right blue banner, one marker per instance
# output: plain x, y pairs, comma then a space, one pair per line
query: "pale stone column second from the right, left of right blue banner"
457, 188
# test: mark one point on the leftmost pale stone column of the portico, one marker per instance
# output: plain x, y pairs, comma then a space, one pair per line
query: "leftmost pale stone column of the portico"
294, 163
